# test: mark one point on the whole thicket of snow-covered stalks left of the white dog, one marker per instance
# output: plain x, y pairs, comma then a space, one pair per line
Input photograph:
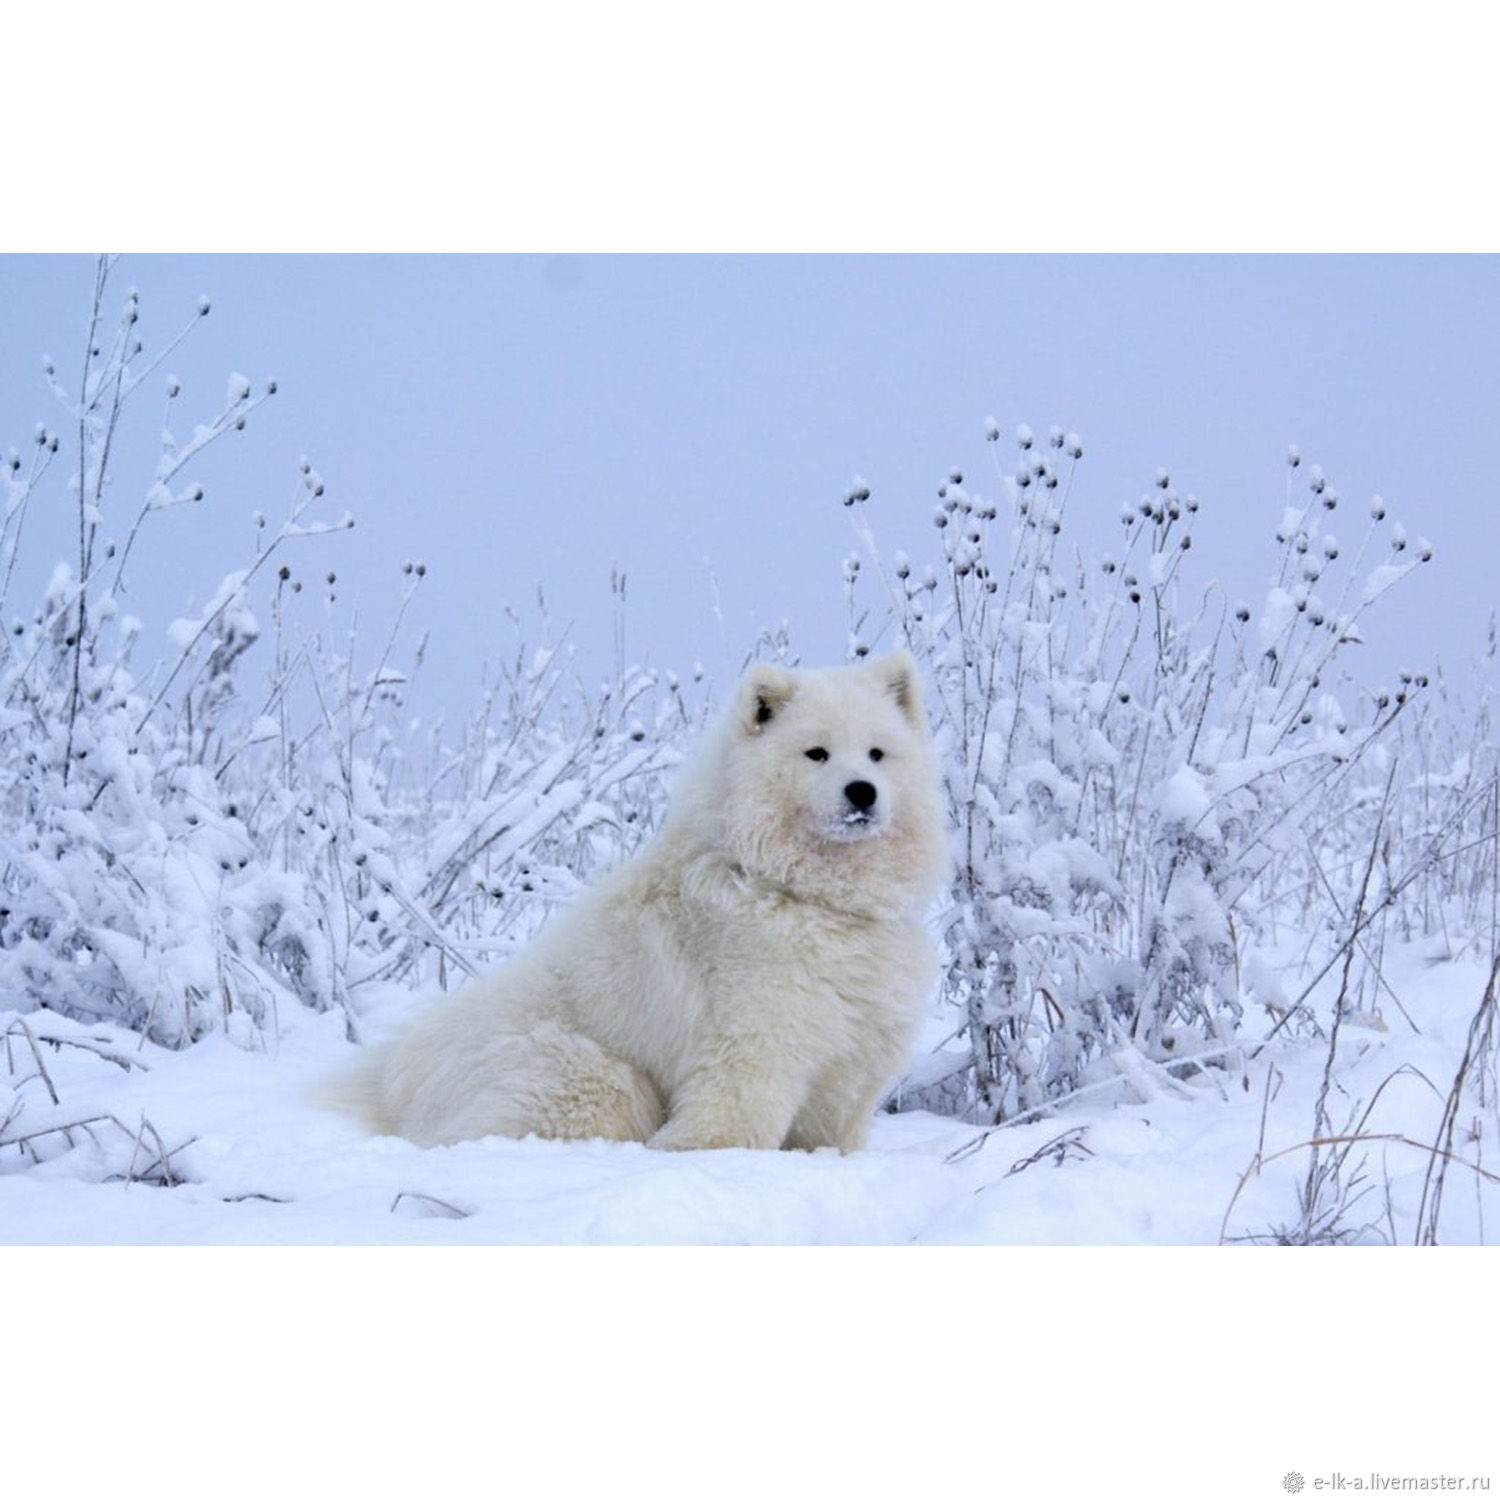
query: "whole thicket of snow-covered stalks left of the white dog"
199, 845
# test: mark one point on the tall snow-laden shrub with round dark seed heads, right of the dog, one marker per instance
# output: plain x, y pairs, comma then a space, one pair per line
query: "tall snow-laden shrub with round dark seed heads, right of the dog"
1132, 769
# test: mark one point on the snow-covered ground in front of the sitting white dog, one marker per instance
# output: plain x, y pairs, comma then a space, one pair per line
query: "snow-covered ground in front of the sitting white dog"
251, 1159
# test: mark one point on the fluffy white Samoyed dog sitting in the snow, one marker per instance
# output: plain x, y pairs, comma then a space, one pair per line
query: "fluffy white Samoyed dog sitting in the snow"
752, 979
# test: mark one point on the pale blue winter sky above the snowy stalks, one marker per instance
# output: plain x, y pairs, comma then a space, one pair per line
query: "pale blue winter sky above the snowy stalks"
515, 421
